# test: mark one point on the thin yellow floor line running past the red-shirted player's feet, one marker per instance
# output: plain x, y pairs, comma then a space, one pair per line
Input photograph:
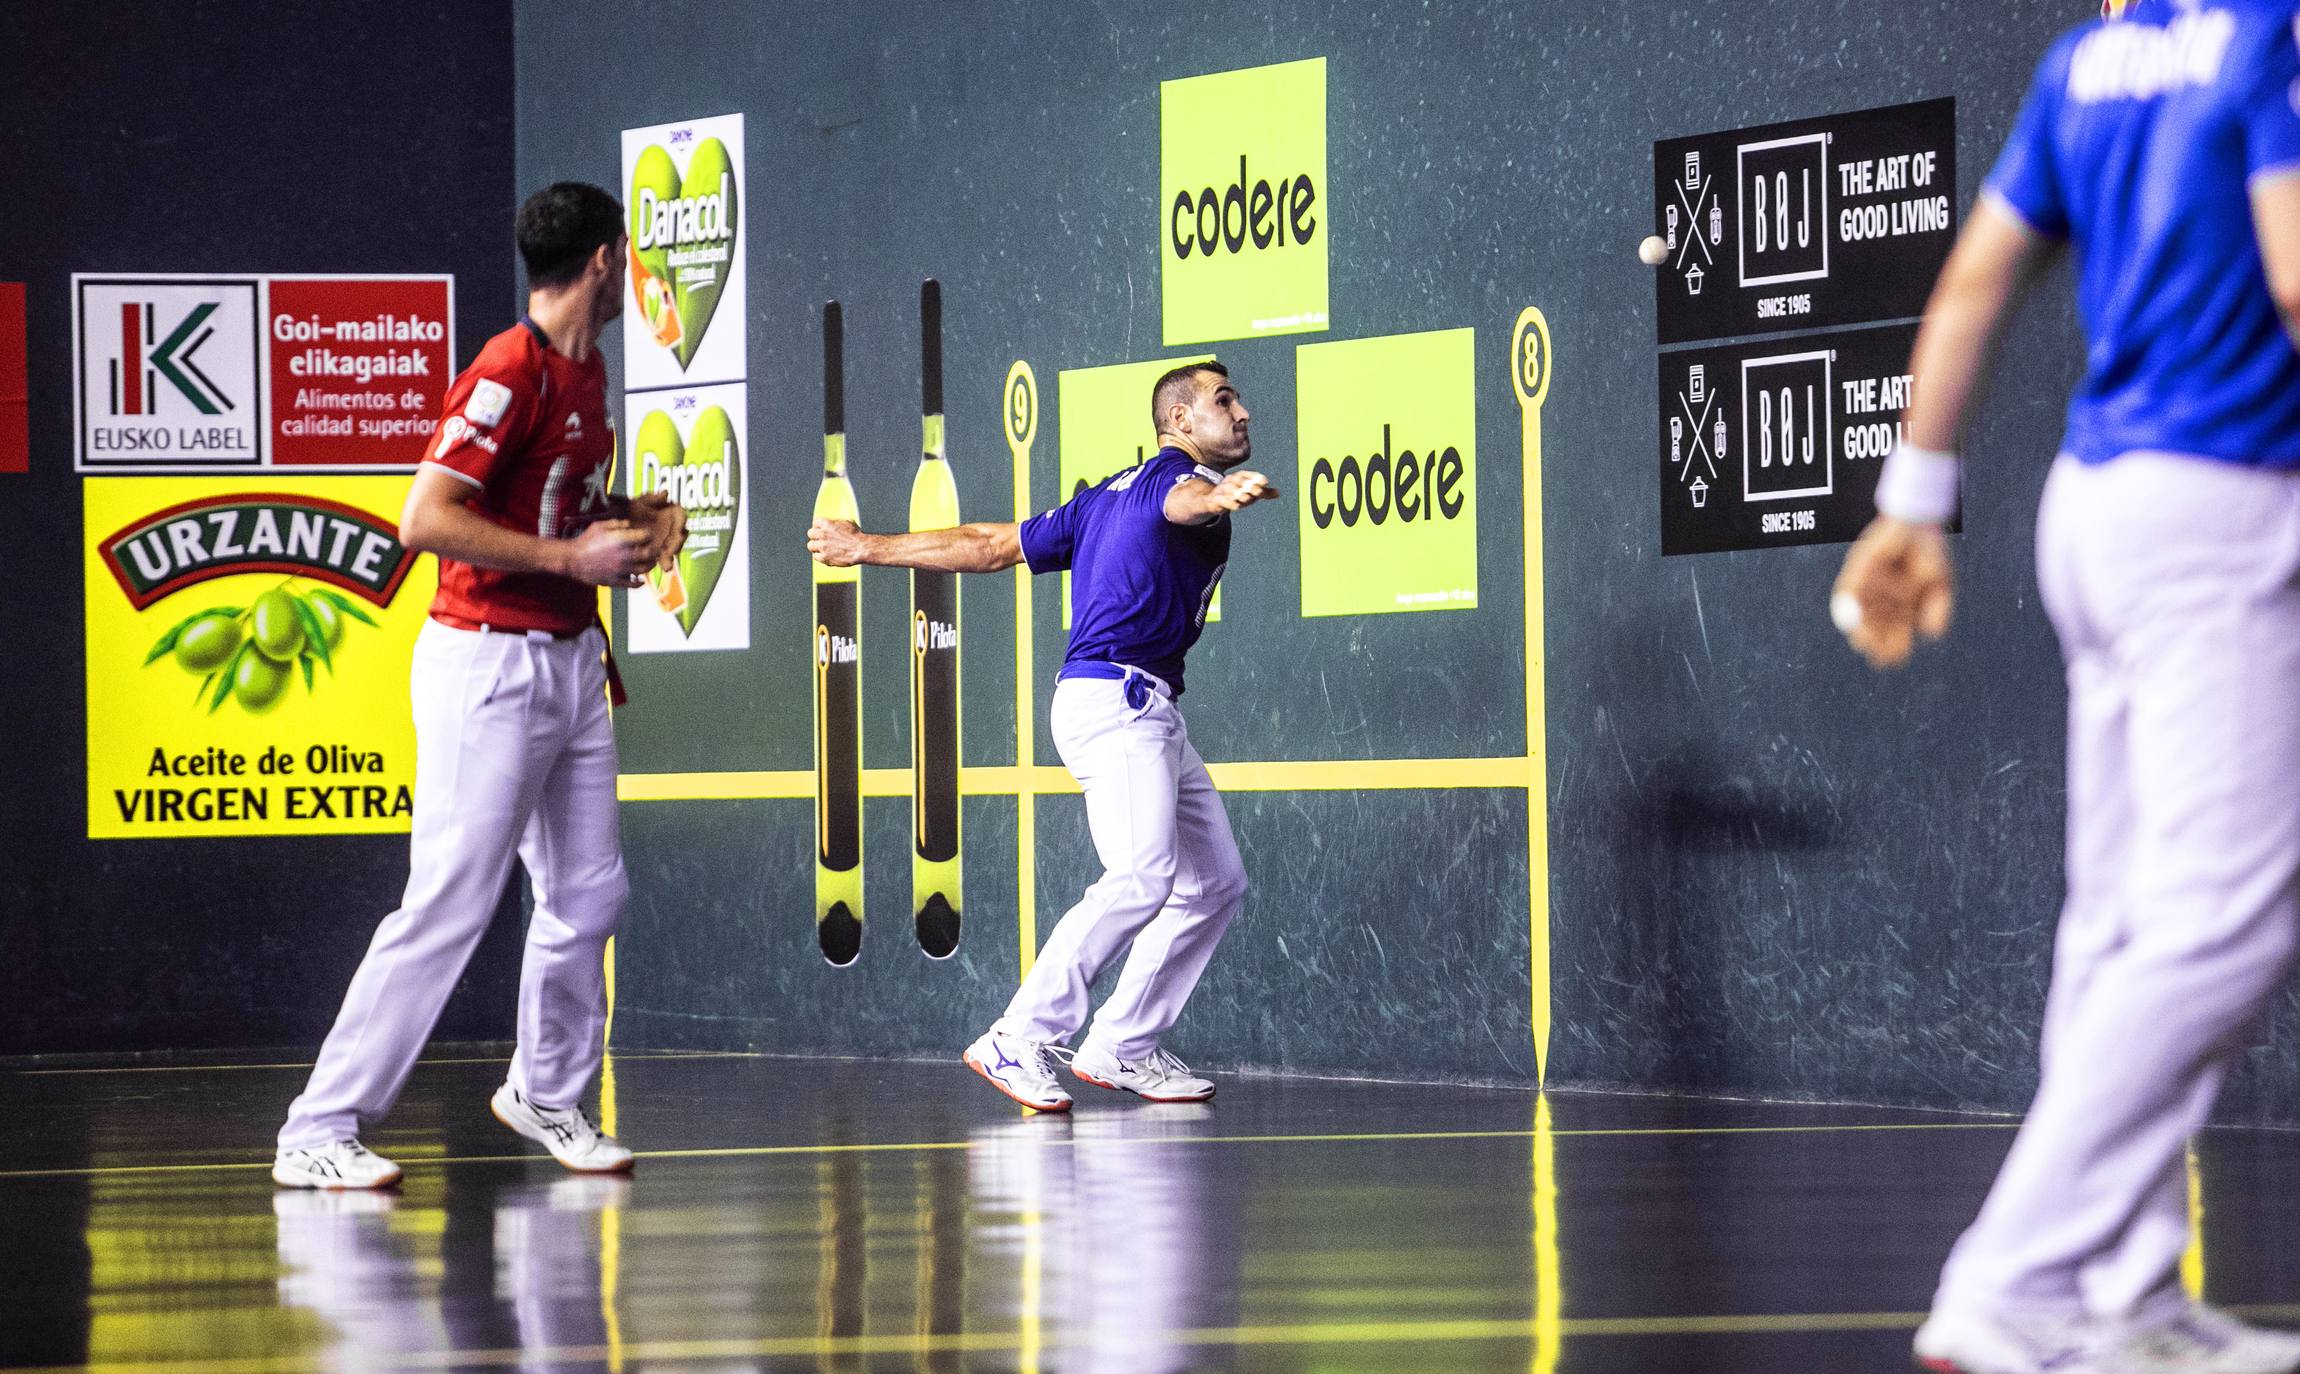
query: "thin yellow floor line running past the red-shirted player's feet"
1098, 1143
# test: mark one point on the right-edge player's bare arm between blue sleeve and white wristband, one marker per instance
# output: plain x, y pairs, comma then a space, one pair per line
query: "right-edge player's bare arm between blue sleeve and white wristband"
1993, 264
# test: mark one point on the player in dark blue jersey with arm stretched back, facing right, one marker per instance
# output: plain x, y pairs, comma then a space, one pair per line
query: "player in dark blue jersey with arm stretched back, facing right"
1144, 551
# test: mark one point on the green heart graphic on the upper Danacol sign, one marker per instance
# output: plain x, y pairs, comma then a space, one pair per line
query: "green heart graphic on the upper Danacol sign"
682, 243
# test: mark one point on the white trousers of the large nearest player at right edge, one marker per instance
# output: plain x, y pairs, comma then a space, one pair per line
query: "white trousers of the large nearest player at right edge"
2175, 586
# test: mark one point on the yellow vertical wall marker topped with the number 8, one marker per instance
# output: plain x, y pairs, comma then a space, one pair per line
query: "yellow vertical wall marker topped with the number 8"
1531, 379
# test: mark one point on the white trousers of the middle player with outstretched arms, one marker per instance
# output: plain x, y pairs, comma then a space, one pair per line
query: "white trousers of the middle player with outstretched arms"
1170, 883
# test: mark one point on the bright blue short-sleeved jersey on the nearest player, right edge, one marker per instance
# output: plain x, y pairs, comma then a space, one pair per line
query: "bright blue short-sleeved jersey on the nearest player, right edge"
2138, 144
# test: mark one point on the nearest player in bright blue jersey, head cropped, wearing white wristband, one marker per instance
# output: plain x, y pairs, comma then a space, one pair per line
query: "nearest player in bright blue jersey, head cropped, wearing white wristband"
2161, 144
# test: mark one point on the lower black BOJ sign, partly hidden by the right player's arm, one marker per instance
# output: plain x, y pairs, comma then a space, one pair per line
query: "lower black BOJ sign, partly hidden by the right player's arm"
1779, 443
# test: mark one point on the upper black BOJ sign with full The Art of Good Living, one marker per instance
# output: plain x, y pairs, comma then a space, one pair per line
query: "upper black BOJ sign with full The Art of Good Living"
1809, 224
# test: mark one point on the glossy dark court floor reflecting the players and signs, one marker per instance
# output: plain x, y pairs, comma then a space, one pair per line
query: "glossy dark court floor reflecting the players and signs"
799, 1214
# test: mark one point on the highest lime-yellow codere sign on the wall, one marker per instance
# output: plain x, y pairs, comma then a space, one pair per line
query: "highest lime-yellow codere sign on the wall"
1243, 204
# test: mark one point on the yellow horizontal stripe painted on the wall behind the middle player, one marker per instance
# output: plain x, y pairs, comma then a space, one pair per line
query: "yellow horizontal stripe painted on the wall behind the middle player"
1006, 779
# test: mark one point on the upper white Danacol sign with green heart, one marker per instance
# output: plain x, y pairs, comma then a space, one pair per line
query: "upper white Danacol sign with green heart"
684, 197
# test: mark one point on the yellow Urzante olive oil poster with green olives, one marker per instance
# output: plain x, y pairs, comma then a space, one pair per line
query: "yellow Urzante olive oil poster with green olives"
247, 657
